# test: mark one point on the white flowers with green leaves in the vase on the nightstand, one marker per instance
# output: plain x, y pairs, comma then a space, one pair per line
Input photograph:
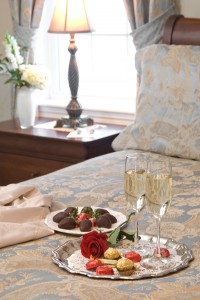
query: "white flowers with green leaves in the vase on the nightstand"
31, 76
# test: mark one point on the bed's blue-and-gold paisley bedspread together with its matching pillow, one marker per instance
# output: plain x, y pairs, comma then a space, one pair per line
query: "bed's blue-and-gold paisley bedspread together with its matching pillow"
27, 270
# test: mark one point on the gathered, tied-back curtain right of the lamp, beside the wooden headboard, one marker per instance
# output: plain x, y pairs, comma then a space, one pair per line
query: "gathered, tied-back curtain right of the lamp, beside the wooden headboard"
147, 19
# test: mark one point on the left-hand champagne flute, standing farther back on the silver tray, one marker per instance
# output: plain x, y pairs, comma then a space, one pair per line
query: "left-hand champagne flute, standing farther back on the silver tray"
134, 186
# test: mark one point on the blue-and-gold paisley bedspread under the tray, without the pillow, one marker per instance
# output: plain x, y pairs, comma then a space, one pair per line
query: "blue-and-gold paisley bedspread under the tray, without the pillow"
27, 270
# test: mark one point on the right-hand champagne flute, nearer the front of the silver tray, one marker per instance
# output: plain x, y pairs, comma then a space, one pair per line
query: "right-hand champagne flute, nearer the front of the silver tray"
158, 197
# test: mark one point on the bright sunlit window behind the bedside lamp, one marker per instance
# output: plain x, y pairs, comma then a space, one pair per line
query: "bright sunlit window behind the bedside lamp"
105, 60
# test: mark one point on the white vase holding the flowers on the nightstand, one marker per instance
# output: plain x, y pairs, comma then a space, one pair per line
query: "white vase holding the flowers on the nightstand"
26, 106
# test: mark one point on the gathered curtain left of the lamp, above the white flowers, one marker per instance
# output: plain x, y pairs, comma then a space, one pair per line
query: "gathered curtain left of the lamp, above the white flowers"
26, 17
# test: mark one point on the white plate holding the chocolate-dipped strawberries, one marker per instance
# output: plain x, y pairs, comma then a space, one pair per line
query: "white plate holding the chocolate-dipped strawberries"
76, 231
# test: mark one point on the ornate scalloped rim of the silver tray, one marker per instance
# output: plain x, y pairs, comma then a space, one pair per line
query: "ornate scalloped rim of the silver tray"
187, 253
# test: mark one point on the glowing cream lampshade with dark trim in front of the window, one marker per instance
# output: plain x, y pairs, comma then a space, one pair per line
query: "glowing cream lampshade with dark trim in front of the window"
70, 17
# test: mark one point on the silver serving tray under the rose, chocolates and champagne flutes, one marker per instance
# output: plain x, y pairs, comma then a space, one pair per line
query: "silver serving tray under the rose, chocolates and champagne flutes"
68, 256
